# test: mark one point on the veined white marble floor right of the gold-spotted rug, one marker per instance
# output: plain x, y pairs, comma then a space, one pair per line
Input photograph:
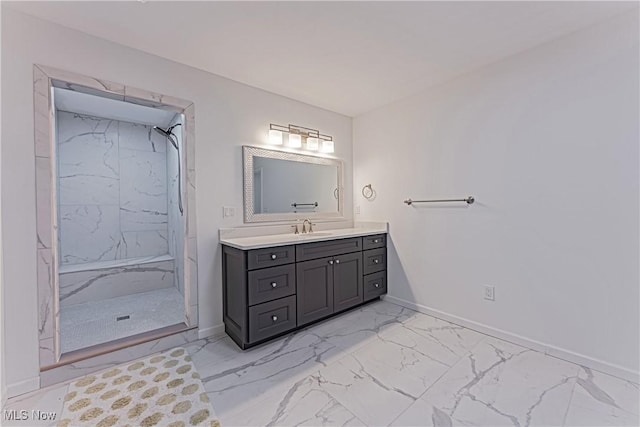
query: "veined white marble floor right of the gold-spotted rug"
386, 365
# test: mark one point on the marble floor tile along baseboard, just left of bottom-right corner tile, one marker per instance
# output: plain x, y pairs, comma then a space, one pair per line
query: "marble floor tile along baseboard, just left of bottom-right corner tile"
500, 383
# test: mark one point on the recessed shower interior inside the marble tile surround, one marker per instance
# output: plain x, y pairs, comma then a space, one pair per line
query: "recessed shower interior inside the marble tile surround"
118, 173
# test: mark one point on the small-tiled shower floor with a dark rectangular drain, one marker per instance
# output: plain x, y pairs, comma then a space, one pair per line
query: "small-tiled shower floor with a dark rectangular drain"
94, 322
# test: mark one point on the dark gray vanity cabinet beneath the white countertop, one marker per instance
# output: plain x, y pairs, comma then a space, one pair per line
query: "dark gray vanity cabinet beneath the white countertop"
273, 290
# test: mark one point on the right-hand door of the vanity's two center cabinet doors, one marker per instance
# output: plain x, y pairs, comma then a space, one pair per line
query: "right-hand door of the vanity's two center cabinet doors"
347, 281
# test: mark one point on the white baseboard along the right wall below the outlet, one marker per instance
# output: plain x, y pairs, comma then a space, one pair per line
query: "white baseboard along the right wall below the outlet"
560, 353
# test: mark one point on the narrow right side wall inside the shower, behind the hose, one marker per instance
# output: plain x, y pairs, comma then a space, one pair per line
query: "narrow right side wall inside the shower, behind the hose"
176, 228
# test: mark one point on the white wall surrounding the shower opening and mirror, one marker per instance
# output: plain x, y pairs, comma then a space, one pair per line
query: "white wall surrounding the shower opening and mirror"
228, 115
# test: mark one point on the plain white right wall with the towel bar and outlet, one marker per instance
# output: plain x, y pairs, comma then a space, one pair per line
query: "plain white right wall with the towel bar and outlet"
547, 141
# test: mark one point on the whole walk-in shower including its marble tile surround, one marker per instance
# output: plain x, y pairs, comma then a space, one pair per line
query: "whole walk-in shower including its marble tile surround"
115, 205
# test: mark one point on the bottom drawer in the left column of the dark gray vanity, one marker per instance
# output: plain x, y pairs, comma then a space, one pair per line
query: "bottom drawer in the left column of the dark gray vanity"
272, 318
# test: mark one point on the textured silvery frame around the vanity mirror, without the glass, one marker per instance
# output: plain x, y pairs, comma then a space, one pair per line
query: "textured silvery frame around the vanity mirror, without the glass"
248, 154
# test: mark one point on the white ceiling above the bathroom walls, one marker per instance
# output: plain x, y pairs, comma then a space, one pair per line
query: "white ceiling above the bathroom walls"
347, 57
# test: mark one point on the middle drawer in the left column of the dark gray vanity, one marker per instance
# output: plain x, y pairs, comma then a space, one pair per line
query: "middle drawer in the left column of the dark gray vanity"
271, 283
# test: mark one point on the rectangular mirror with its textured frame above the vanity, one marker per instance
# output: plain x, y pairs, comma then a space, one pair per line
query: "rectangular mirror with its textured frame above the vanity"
284, 186
